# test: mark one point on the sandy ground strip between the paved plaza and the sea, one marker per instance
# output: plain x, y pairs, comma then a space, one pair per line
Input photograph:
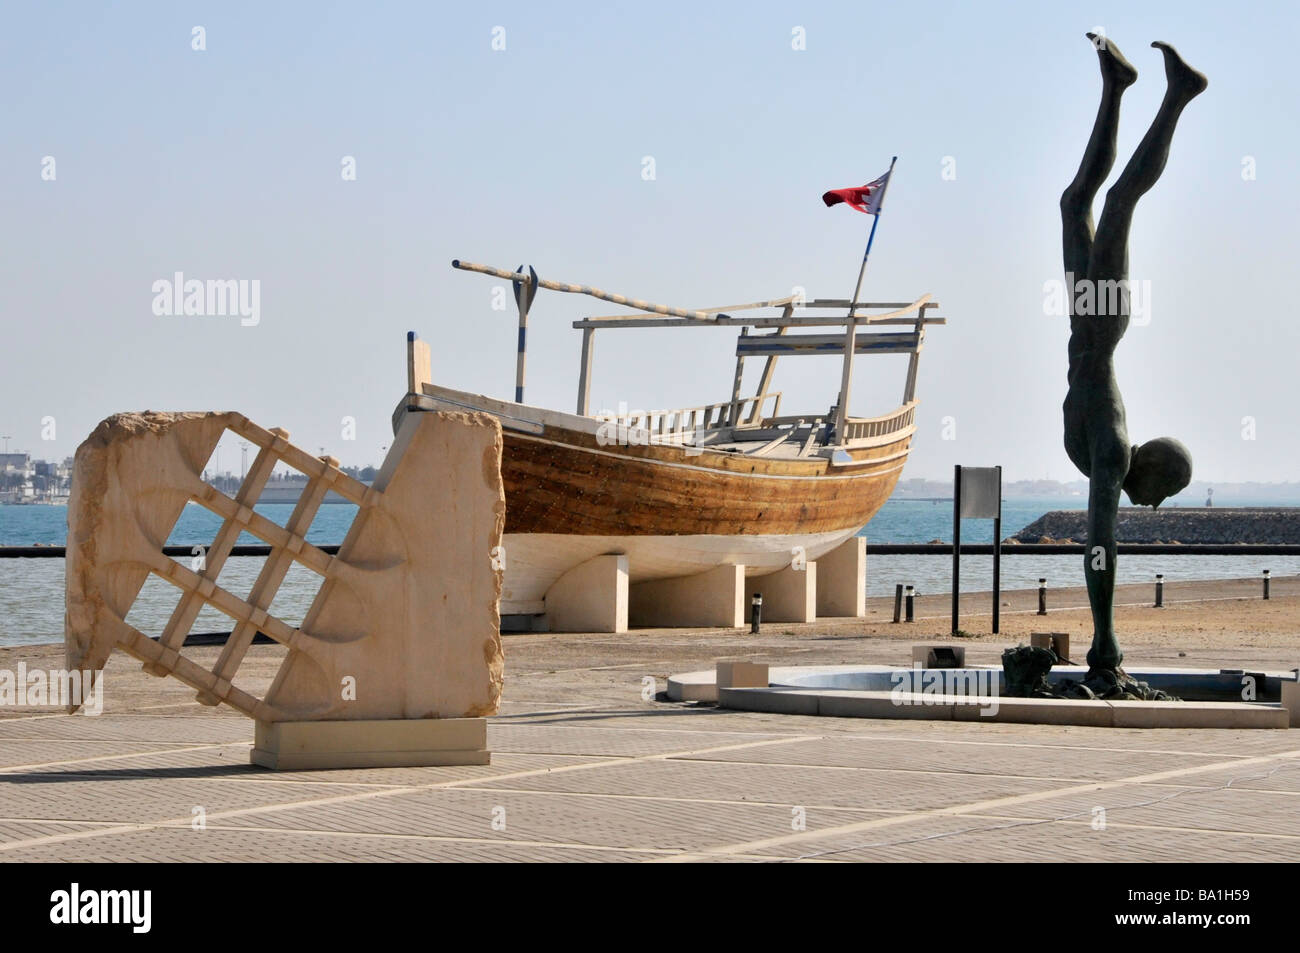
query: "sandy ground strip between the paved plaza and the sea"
1203, 625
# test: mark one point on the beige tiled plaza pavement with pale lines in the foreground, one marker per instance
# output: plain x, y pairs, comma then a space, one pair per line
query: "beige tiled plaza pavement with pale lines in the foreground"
586, 770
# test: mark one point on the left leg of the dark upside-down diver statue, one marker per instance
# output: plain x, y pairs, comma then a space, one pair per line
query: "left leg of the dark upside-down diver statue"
1117, 76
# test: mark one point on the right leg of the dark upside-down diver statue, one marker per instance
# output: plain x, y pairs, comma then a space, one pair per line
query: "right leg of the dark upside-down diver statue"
1111, 245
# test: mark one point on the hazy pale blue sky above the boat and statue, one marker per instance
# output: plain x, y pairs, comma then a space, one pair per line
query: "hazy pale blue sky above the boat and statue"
228, 163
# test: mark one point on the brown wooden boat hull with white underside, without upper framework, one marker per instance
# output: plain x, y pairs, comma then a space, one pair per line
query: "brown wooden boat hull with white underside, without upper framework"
673, 510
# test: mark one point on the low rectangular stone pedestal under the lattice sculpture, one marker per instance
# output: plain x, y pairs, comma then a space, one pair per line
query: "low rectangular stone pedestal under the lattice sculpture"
393, 743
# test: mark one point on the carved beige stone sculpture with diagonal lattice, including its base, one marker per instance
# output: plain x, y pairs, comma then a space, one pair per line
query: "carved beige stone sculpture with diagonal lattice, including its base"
397, 662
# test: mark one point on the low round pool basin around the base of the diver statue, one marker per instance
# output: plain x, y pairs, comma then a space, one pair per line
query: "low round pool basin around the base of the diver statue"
973, 694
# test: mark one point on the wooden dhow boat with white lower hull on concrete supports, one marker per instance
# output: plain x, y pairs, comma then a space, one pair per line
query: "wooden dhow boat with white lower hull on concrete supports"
674, 495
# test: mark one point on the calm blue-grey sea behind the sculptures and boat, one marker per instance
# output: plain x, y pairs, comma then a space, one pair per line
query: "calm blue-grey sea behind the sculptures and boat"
32, 591
